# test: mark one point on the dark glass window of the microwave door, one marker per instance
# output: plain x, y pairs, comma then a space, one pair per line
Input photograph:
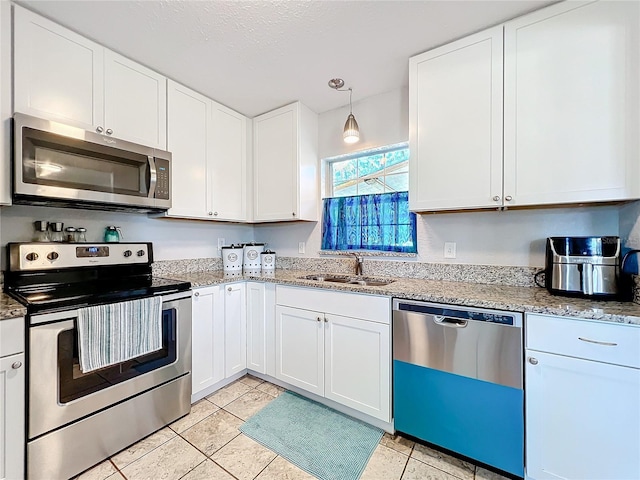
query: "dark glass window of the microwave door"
53, 160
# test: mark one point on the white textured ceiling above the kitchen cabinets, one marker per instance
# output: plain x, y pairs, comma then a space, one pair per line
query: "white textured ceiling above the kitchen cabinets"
254, 56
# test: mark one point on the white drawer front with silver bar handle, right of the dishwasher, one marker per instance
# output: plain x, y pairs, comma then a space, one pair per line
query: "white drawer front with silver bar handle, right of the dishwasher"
614, 343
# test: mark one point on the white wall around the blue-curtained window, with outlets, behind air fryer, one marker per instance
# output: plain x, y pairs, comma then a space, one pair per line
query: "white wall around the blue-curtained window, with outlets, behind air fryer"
514, 237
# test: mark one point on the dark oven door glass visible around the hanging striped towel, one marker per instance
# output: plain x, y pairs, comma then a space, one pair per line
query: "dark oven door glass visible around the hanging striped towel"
74, 384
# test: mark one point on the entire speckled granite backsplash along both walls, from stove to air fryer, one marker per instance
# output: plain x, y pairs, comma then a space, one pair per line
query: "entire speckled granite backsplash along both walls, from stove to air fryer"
486, 274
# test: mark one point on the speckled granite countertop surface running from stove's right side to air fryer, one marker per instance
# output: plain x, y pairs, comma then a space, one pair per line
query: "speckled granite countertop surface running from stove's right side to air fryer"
518, 299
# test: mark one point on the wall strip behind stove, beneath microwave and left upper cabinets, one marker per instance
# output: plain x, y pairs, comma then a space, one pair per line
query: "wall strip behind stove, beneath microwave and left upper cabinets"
172, 239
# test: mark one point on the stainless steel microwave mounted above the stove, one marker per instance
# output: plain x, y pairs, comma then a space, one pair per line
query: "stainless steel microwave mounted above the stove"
59, 165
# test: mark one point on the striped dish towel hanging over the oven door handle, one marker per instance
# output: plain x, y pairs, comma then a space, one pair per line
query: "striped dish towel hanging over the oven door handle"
117, 332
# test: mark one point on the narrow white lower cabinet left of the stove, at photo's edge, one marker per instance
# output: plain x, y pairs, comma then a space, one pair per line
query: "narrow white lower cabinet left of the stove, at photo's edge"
12, 371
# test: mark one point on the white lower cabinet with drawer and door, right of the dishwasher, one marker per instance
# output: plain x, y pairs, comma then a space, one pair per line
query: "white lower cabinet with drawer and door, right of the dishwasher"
582, 384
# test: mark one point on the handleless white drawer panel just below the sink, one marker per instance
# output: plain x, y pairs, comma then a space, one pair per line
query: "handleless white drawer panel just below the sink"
368, 307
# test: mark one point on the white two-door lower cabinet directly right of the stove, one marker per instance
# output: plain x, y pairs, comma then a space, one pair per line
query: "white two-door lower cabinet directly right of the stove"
218, 336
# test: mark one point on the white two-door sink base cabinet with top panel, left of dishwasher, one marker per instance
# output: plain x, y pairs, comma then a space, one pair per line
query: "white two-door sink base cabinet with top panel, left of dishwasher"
336, 345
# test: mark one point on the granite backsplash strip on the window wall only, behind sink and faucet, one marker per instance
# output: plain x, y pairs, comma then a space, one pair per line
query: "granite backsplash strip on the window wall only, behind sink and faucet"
486, 274
